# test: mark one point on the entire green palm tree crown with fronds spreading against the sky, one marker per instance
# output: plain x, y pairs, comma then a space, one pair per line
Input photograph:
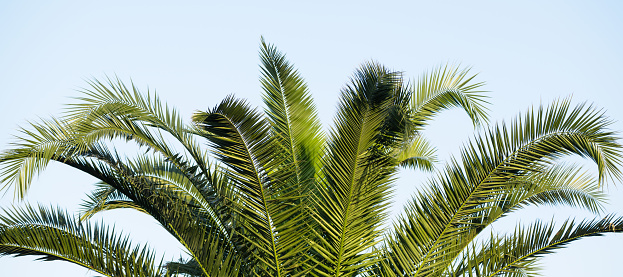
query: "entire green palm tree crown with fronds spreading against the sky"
272, 195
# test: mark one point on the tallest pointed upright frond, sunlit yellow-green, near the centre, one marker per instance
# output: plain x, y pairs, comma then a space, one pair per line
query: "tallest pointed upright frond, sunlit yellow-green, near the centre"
297, 131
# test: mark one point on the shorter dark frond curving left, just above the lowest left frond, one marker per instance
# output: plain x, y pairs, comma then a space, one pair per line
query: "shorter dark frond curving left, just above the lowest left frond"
196, 227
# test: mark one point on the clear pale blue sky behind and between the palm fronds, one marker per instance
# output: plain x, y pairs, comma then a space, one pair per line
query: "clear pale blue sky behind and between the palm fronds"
193, 54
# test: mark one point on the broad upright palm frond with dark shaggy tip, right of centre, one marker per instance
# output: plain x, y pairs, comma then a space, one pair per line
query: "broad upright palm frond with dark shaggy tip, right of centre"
352, 201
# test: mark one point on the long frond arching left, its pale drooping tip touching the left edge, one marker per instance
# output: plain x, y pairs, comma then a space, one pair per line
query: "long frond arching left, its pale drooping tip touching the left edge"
95, 159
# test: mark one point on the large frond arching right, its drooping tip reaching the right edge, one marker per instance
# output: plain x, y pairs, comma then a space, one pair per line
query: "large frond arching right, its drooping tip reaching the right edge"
427, 236
